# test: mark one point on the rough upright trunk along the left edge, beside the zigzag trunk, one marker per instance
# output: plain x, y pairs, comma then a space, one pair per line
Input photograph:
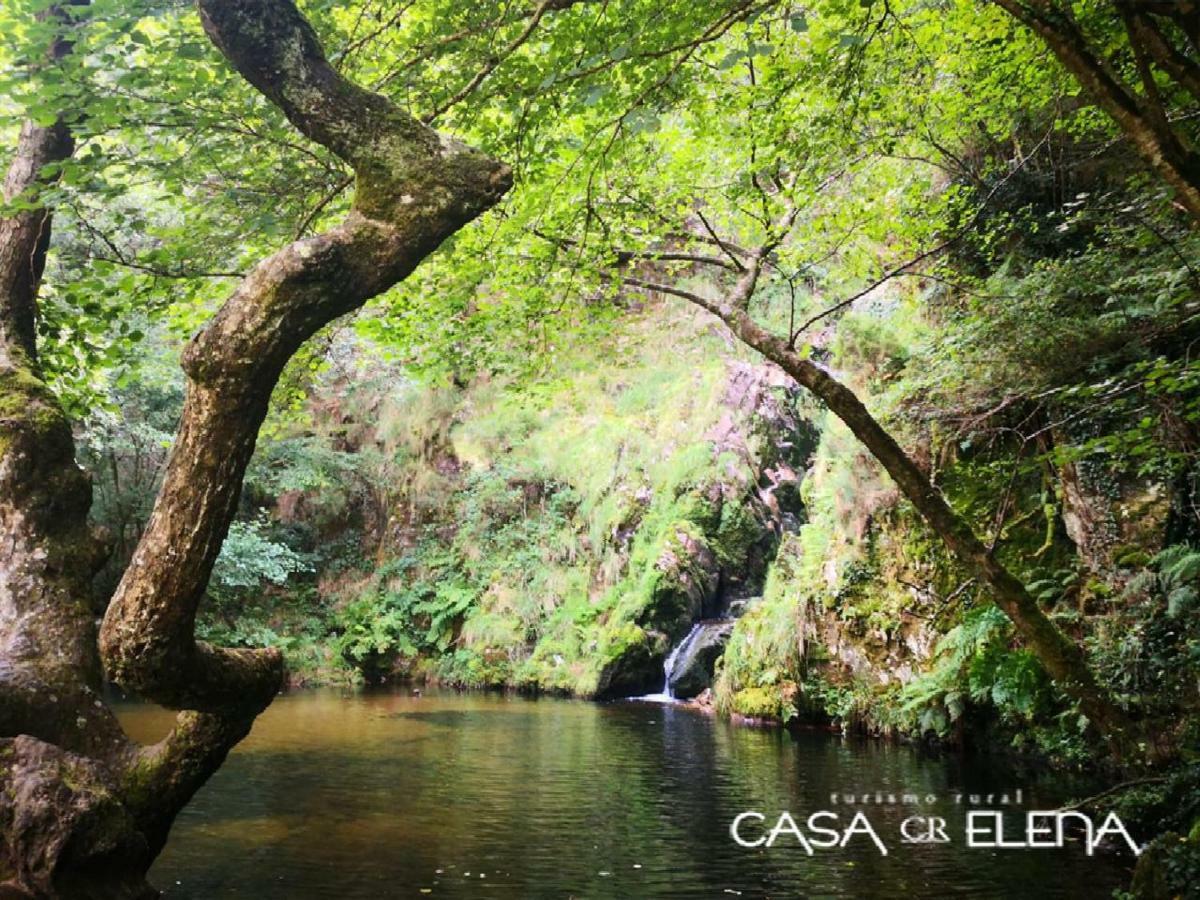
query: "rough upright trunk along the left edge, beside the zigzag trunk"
58, 820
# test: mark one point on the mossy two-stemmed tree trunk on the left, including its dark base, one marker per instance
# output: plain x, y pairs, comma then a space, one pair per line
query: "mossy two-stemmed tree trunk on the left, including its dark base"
83, 809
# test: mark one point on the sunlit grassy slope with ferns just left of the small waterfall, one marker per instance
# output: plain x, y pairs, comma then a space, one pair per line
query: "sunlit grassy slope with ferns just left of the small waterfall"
589, 517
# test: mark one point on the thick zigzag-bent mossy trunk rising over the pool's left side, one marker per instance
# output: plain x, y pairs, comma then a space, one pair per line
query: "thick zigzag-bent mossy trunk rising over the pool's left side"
413, 189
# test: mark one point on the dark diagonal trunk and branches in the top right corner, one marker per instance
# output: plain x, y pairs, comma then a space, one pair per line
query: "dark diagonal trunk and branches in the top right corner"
1147, 124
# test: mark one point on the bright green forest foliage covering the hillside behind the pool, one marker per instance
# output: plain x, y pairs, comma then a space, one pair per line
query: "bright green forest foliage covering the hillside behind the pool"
481, 477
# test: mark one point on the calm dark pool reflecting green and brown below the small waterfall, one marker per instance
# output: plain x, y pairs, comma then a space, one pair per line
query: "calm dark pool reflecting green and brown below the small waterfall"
388, 795
